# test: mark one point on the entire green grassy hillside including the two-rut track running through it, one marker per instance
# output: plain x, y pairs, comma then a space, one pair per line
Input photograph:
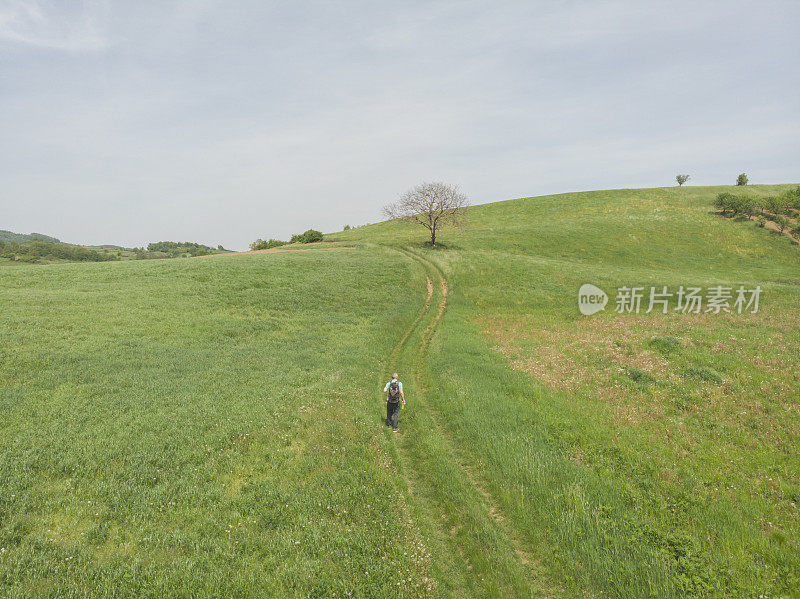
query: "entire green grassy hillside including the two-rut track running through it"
213, 426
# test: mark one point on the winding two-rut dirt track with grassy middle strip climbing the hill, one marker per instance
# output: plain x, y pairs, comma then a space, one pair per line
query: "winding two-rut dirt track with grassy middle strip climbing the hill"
435, 470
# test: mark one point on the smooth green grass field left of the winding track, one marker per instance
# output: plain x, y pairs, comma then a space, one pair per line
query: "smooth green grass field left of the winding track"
203, 427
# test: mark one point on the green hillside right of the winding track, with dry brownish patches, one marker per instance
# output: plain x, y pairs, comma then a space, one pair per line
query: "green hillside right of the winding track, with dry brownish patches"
683, 483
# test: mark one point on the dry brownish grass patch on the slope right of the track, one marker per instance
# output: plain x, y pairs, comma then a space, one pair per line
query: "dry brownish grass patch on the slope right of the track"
639, 364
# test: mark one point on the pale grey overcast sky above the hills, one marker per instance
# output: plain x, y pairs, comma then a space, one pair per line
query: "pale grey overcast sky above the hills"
220, 122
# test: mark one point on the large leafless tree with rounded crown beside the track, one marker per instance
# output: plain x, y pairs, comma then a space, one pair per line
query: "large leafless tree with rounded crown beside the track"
432, 205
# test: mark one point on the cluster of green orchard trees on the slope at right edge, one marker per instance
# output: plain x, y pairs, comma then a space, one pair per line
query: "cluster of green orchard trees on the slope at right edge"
782, 210
